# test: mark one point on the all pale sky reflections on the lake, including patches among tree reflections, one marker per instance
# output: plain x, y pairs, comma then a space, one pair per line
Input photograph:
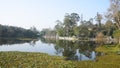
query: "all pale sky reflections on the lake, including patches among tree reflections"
43, 48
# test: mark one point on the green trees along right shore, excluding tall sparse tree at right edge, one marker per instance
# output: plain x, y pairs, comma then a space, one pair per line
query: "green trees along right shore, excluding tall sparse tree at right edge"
86, 28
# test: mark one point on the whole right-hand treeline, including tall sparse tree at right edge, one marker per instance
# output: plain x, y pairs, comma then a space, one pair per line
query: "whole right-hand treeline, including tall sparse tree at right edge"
74, 24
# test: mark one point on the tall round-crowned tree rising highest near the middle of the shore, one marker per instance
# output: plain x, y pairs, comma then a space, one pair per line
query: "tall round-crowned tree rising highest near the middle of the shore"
70, 21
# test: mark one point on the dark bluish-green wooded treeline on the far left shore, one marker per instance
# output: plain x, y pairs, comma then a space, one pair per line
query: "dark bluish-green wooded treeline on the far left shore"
17, 32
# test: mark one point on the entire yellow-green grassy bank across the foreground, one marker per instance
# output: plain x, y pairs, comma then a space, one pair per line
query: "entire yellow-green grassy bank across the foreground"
40, 60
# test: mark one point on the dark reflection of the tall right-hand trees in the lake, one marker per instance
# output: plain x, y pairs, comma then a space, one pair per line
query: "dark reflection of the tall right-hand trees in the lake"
77, 50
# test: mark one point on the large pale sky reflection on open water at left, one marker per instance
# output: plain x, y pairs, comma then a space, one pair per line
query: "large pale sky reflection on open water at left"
38, 47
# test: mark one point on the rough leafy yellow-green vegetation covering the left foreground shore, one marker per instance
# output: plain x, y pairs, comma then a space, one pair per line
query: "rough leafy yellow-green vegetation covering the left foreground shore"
31, 60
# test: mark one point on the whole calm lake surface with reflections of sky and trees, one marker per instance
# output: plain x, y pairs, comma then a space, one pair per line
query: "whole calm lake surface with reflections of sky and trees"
73, 50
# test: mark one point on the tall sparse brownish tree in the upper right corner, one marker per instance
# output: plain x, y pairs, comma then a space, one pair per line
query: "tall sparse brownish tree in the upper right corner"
114, 12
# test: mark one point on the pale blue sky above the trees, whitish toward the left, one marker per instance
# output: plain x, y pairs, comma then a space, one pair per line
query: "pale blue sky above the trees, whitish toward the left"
44, 13
